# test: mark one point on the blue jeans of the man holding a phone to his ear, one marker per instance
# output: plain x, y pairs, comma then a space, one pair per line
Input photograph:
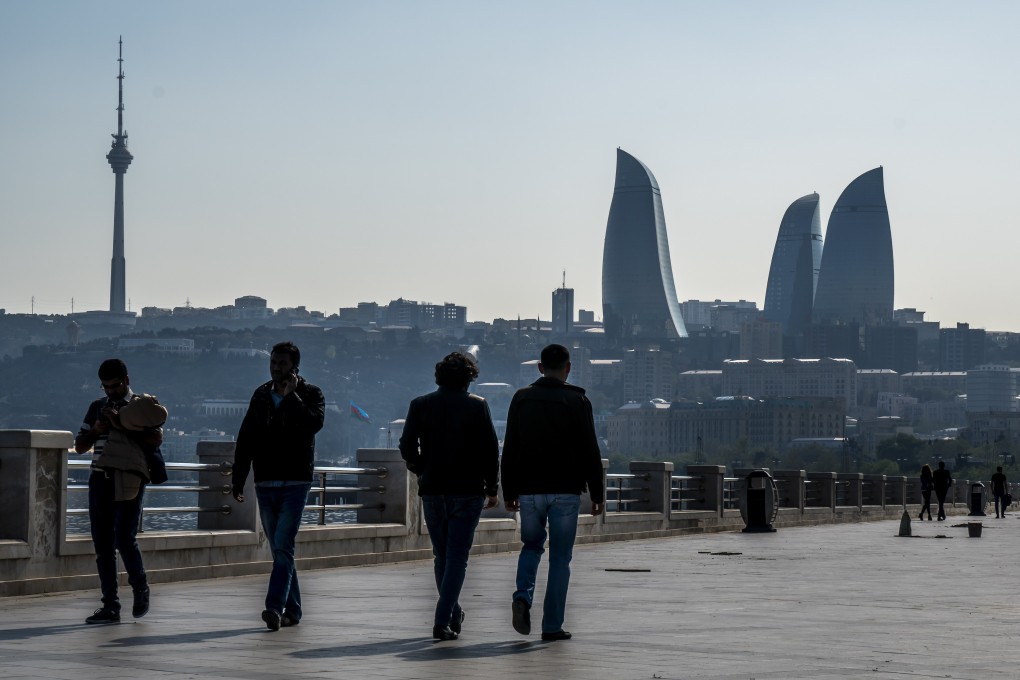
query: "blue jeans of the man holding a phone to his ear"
281, 508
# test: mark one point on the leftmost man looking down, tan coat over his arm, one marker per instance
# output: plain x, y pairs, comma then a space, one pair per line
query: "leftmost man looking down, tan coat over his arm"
114, 516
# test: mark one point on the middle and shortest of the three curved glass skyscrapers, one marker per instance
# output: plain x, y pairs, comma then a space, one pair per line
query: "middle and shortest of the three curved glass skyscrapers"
792, 280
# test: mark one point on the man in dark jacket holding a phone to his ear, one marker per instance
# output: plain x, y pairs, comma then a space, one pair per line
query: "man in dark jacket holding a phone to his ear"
278, 440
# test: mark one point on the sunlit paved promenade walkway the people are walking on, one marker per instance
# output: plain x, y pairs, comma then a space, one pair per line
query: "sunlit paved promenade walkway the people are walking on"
833, 602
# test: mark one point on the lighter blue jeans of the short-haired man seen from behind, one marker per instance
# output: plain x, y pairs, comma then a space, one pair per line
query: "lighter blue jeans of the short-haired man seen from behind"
559, 512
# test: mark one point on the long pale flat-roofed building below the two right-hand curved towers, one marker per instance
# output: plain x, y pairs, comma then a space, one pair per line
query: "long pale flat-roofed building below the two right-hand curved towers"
792, 378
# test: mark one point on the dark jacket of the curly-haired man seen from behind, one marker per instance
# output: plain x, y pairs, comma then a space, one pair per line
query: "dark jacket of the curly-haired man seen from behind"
450, 443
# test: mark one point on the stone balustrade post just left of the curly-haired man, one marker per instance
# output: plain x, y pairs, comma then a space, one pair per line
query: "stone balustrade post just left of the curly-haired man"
397, 505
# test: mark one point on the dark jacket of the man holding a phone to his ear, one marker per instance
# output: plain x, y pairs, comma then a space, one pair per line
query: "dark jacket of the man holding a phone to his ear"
280, 442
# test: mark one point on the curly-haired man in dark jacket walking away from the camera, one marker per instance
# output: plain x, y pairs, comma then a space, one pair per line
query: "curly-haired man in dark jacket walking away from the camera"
450, 443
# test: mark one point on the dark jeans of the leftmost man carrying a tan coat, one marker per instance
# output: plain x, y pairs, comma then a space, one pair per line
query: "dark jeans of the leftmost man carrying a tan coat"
115, 526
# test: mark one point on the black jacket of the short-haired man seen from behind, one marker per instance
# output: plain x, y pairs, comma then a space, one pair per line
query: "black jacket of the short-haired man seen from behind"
550, 446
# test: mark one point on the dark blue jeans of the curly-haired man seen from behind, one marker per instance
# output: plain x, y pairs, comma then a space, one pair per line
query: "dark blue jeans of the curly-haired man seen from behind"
451, 521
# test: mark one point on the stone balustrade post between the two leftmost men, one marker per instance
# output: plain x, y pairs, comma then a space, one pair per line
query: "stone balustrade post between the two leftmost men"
243, 516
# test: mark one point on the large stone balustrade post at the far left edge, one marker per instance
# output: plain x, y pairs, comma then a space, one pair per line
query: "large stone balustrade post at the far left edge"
33, 491
